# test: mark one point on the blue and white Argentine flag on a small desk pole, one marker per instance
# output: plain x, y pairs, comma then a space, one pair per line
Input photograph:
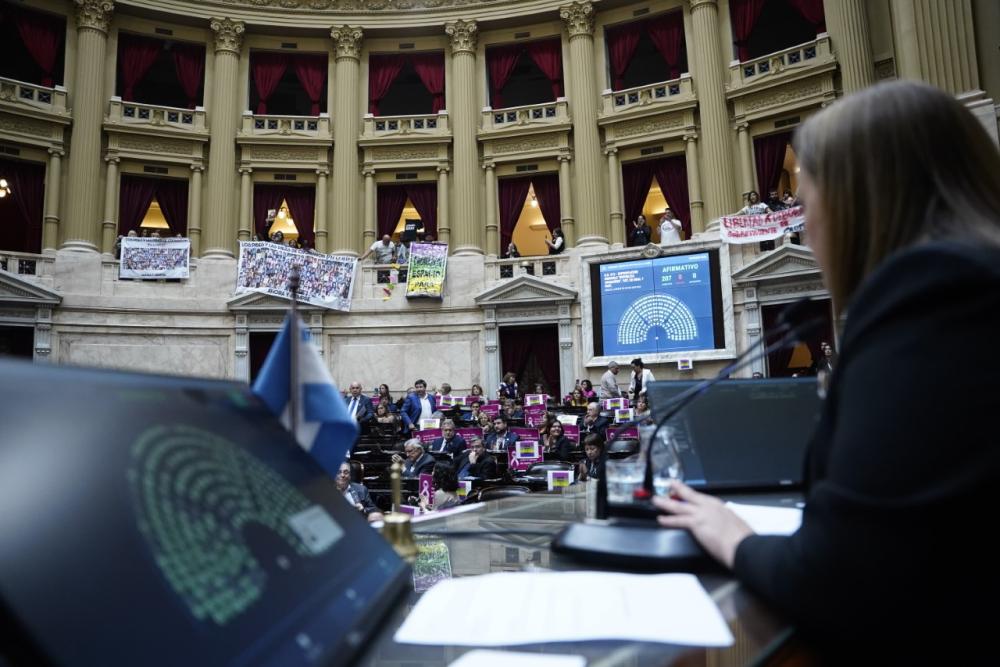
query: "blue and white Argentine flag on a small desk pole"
325, 429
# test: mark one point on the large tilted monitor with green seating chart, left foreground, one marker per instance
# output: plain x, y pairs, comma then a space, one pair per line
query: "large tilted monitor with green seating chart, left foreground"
168, 521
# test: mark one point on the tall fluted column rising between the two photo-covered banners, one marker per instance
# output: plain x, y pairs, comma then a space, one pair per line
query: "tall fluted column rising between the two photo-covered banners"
220, 218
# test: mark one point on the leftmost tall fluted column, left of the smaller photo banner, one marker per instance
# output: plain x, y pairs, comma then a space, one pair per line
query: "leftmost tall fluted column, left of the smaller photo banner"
82, 231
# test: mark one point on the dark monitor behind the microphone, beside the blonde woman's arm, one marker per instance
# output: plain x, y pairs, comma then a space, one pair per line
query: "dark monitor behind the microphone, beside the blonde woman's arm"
742, 434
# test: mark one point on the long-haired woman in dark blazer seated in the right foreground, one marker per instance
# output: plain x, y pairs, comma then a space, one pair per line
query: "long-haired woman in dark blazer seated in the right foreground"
891, 563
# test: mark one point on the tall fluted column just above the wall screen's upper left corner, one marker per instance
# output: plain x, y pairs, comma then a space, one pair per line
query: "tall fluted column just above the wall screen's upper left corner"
588, 185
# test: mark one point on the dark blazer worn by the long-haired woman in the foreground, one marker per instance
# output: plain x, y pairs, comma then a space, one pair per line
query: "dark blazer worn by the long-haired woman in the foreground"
902, 470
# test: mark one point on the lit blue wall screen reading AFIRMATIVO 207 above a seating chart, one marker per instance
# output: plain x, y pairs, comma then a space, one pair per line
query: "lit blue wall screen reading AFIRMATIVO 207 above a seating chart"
657, 305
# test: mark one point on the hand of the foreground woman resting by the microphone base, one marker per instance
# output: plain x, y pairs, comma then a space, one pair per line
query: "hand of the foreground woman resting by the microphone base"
715, 526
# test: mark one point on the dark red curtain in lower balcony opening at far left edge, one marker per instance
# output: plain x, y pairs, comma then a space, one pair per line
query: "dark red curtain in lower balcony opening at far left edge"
21, 213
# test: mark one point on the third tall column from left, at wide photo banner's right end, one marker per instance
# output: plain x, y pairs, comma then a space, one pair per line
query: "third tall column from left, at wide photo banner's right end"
347, 232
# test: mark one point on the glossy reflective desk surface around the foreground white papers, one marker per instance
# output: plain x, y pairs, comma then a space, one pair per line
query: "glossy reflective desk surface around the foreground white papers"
758, 632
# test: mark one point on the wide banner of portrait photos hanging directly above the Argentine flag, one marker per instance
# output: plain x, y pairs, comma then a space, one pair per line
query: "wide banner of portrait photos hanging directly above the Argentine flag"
324, 280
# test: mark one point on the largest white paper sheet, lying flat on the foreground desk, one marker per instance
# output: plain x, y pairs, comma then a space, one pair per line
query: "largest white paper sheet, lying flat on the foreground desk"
544, 607
